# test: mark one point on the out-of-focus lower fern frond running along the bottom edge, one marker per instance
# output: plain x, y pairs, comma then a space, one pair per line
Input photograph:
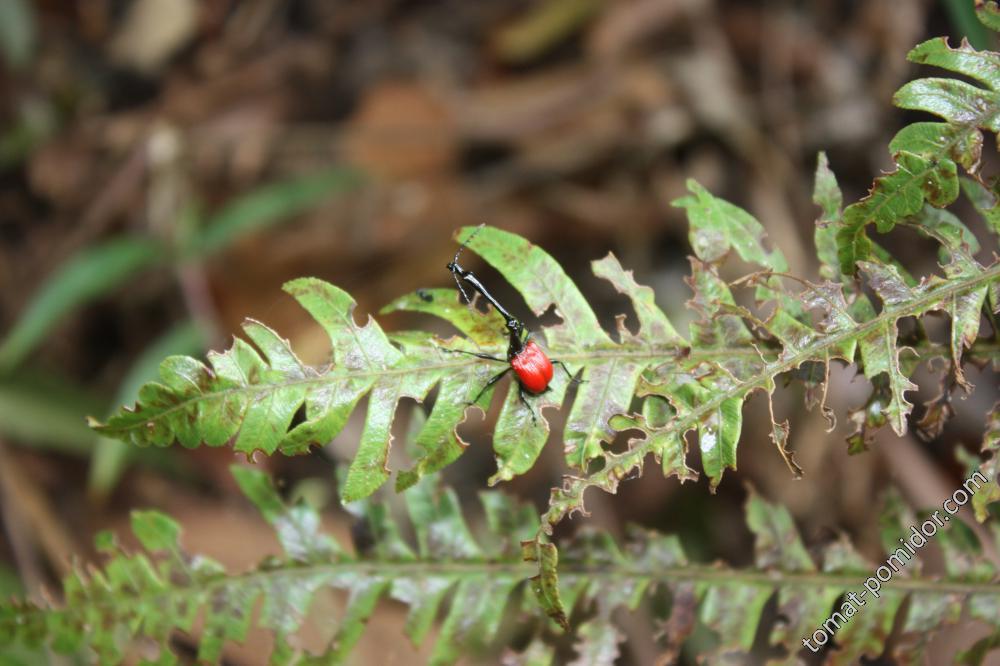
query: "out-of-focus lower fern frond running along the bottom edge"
467, 585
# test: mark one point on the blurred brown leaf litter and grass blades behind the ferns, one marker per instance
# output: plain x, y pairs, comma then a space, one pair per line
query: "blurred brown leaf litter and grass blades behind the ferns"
165, 165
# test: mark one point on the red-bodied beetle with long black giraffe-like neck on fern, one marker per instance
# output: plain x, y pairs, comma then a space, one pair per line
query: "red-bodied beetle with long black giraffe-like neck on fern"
530, 363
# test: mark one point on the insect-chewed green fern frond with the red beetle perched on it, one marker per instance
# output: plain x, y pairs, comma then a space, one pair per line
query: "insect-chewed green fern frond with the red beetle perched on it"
249, 397
